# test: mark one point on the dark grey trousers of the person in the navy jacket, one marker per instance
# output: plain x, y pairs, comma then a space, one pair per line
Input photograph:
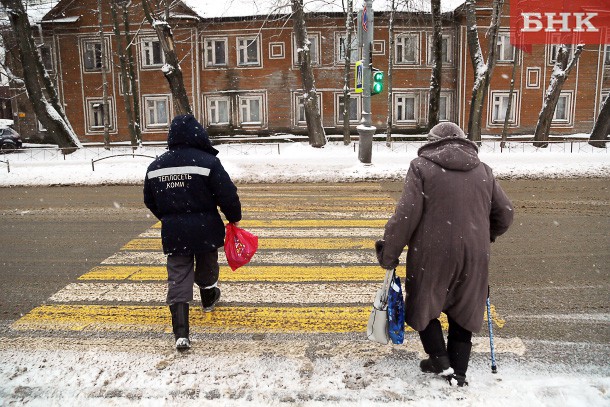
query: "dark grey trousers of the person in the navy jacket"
185, 270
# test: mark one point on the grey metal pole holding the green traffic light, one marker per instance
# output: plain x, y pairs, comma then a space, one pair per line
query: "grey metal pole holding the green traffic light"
366, 130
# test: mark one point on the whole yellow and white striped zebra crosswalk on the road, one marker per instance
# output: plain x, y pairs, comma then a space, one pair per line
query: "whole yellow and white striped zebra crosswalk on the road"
315, 272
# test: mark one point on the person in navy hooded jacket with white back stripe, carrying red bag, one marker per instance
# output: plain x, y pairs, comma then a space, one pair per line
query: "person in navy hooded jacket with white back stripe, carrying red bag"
184, 188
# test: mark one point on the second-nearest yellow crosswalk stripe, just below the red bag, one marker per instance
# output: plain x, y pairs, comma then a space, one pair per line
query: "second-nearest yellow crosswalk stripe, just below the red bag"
247, 273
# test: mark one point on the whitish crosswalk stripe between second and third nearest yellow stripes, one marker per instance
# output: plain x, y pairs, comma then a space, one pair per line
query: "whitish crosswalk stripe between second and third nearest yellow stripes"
269, 257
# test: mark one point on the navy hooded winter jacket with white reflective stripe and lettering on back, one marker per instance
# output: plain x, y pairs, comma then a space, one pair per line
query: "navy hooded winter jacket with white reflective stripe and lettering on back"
184, 188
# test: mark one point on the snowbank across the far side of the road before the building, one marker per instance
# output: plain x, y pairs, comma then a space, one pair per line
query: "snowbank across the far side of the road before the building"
297, 162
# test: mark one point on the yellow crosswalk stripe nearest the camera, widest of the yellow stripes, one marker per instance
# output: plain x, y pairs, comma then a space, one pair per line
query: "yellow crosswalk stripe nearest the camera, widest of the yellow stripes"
88, 318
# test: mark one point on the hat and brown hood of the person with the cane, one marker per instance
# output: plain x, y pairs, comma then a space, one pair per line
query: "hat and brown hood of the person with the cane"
449, 148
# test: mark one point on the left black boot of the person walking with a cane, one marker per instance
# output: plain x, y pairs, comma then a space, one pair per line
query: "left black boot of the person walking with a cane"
434, 344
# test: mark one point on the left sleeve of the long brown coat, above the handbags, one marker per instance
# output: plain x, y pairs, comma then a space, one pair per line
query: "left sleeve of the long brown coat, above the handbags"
403, 222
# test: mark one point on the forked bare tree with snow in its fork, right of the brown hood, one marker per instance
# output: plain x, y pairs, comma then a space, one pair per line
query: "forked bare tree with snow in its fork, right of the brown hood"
482, 69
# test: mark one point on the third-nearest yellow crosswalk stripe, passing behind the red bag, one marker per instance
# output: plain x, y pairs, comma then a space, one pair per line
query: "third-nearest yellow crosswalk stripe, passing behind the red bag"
299, 243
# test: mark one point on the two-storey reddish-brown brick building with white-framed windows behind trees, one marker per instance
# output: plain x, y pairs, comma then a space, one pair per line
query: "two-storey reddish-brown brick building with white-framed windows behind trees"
241, 74
